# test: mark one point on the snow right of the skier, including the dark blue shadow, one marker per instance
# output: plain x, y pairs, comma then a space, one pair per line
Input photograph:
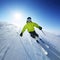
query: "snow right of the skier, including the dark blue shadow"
53, 41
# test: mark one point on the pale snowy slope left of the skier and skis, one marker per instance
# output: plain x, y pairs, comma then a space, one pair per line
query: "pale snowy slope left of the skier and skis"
13, 47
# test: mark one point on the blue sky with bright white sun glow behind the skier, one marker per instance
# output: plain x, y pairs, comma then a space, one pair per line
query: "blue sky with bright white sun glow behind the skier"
44, 12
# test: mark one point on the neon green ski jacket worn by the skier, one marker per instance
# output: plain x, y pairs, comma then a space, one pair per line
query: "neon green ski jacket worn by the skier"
30, 27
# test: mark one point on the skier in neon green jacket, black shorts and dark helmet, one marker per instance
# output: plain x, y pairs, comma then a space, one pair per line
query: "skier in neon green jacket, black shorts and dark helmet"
30, 28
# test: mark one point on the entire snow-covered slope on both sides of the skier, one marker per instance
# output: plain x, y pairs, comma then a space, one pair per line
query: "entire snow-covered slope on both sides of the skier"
14, 47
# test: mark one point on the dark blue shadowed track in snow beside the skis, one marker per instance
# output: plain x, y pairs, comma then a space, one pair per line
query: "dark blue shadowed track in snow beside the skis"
52, 53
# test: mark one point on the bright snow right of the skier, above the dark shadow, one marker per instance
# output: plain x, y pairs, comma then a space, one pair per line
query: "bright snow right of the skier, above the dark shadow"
52, 39
